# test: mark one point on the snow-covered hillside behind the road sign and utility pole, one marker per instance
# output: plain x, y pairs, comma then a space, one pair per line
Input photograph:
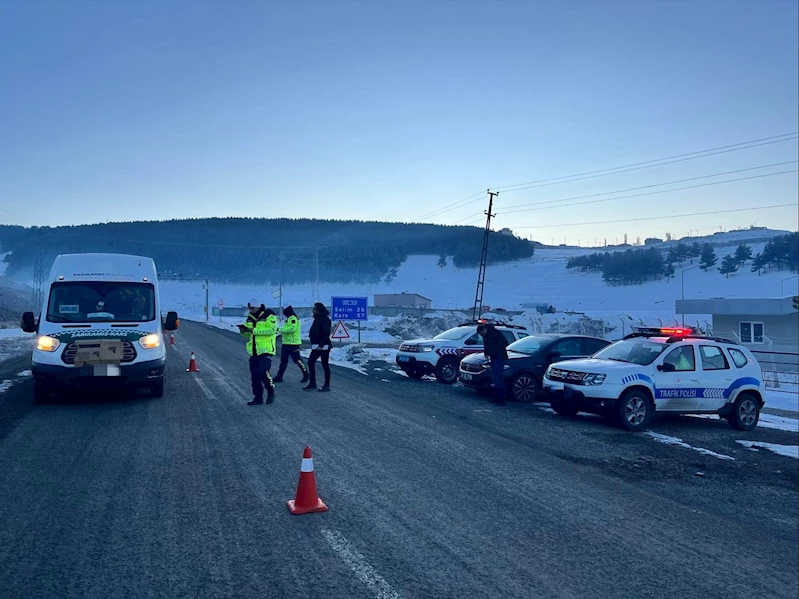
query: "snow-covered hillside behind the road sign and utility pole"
542, 279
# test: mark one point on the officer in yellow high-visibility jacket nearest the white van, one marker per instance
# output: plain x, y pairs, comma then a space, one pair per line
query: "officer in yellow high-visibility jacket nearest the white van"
260, 330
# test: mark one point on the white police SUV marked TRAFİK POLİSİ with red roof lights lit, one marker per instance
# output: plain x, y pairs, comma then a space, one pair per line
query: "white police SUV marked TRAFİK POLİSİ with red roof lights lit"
661, 370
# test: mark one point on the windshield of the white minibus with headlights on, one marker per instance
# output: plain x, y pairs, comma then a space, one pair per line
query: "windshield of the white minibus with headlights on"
101, 301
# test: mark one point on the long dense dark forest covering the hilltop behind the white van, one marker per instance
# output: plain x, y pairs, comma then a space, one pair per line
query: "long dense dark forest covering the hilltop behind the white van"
264, 250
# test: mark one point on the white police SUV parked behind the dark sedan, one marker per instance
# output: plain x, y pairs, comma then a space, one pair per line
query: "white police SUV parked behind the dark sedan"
442, 354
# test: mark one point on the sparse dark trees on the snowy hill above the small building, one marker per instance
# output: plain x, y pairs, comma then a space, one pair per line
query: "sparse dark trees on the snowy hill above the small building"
635, 266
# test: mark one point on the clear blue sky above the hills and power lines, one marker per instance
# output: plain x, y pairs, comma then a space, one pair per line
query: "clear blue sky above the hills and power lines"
387, 111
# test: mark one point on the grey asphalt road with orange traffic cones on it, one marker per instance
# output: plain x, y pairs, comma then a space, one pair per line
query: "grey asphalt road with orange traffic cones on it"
432, 493
